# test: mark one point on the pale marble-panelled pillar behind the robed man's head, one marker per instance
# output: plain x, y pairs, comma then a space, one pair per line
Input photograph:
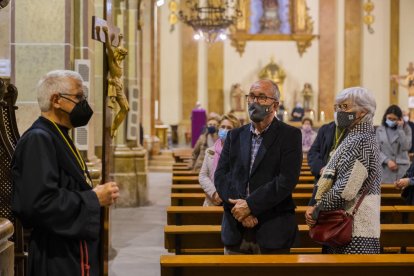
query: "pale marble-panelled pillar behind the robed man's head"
36, 48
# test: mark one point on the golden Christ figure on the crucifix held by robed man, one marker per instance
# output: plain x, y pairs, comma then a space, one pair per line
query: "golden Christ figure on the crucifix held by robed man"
115, 85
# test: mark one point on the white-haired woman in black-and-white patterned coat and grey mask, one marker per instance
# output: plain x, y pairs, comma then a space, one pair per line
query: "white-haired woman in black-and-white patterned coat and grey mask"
353, 169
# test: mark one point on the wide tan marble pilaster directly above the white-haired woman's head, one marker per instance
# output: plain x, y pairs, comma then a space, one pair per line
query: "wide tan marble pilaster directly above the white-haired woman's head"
353, 42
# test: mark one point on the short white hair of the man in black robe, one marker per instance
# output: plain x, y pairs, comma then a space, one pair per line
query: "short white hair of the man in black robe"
54, 82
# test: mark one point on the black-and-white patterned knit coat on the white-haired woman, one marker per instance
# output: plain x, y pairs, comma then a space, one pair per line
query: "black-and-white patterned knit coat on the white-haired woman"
355, 166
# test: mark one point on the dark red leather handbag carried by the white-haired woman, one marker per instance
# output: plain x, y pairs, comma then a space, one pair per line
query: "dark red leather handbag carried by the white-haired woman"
334, 228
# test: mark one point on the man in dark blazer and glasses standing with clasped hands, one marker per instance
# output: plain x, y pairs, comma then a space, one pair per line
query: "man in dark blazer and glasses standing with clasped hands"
258, 170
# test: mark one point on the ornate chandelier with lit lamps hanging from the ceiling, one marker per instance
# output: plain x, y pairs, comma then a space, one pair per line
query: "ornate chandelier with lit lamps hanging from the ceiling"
209, 19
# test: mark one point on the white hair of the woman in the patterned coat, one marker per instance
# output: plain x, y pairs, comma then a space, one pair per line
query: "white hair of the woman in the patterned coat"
361, 98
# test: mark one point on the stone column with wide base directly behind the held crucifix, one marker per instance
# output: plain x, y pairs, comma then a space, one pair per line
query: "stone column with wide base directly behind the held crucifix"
130, 159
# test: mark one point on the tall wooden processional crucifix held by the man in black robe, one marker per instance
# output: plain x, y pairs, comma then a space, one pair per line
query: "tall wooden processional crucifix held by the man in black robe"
105, 32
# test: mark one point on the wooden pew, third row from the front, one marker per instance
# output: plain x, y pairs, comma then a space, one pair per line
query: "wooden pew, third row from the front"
212, 215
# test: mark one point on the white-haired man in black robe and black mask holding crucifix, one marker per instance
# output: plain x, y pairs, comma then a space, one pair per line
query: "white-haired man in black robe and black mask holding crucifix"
53, 194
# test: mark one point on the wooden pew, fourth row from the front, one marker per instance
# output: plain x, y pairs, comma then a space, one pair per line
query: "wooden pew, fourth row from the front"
300, 199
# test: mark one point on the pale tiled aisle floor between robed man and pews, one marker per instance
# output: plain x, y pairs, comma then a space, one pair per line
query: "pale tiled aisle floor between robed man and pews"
137, 233
